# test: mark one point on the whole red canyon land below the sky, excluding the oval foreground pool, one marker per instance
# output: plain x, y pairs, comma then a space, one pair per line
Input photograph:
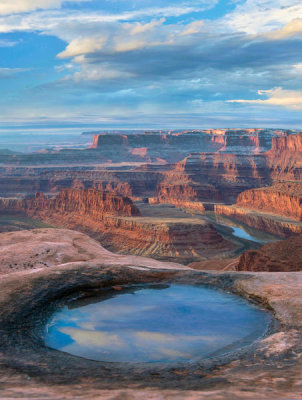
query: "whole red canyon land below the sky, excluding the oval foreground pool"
188, 207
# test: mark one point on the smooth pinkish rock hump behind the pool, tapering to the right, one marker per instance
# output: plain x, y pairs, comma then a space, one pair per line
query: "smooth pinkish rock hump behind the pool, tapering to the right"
47, 248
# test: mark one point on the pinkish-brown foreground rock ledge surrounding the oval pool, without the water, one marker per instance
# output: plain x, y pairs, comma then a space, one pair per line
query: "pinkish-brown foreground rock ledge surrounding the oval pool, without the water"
68, 263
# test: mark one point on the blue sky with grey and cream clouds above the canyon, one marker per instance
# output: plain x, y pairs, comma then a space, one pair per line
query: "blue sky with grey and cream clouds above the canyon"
151, 63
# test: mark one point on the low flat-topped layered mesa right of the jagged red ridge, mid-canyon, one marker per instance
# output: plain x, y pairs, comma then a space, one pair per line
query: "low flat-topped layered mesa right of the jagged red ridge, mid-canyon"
183, 240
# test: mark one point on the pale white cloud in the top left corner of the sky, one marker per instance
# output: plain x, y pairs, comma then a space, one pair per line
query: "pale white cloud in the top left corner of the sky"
20, 6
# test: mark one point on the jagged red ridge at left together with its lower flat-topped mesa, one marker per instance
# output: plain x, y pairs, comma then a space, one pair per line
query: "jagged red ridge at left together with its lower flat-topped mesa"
116, 222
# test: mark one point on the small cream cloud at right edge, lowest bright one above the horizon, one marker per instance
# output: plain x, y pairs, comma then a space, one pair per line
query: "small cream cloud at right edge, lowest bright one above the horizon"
277, 97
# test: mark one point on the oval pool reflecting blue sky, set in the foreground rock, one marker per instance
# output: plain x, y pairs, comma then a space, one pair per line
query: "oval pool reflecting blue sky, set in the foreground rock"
158, 323
